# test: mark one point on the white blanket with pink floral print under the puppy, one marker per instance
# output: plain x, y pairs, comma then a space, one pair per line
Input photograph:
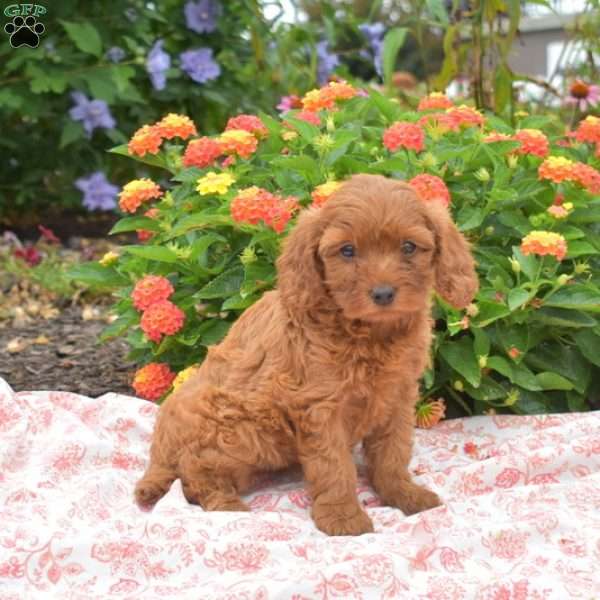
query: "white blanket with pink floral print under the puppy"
520, 519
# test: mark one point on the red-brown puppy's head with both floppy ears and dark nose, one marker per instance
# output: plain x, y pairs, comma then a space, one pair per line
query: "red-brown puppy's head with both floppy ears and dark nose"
375, 251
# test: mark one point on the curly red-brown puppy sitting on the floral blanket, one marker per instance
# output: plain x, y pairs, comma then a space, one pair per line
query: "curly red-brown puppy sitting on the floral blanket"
330, 358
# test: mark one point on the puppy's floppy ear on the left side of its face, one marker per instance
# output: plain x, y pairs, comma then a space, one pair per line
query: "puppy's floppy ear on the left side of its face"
299, 270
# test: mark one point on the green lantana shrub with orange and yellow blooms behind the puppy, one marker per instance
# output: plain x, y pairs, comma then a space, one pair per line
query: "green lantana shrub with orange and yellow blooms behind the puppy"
527, 199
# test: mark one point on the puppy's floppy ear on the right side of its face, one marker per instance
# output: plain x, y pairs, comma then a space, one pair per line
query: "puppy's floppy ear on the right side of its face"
455, 277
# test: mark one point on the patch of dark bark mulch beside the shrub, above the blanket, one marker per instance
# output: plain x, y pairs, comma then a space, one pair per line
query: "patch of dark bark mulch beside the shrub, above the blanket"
69, 359
